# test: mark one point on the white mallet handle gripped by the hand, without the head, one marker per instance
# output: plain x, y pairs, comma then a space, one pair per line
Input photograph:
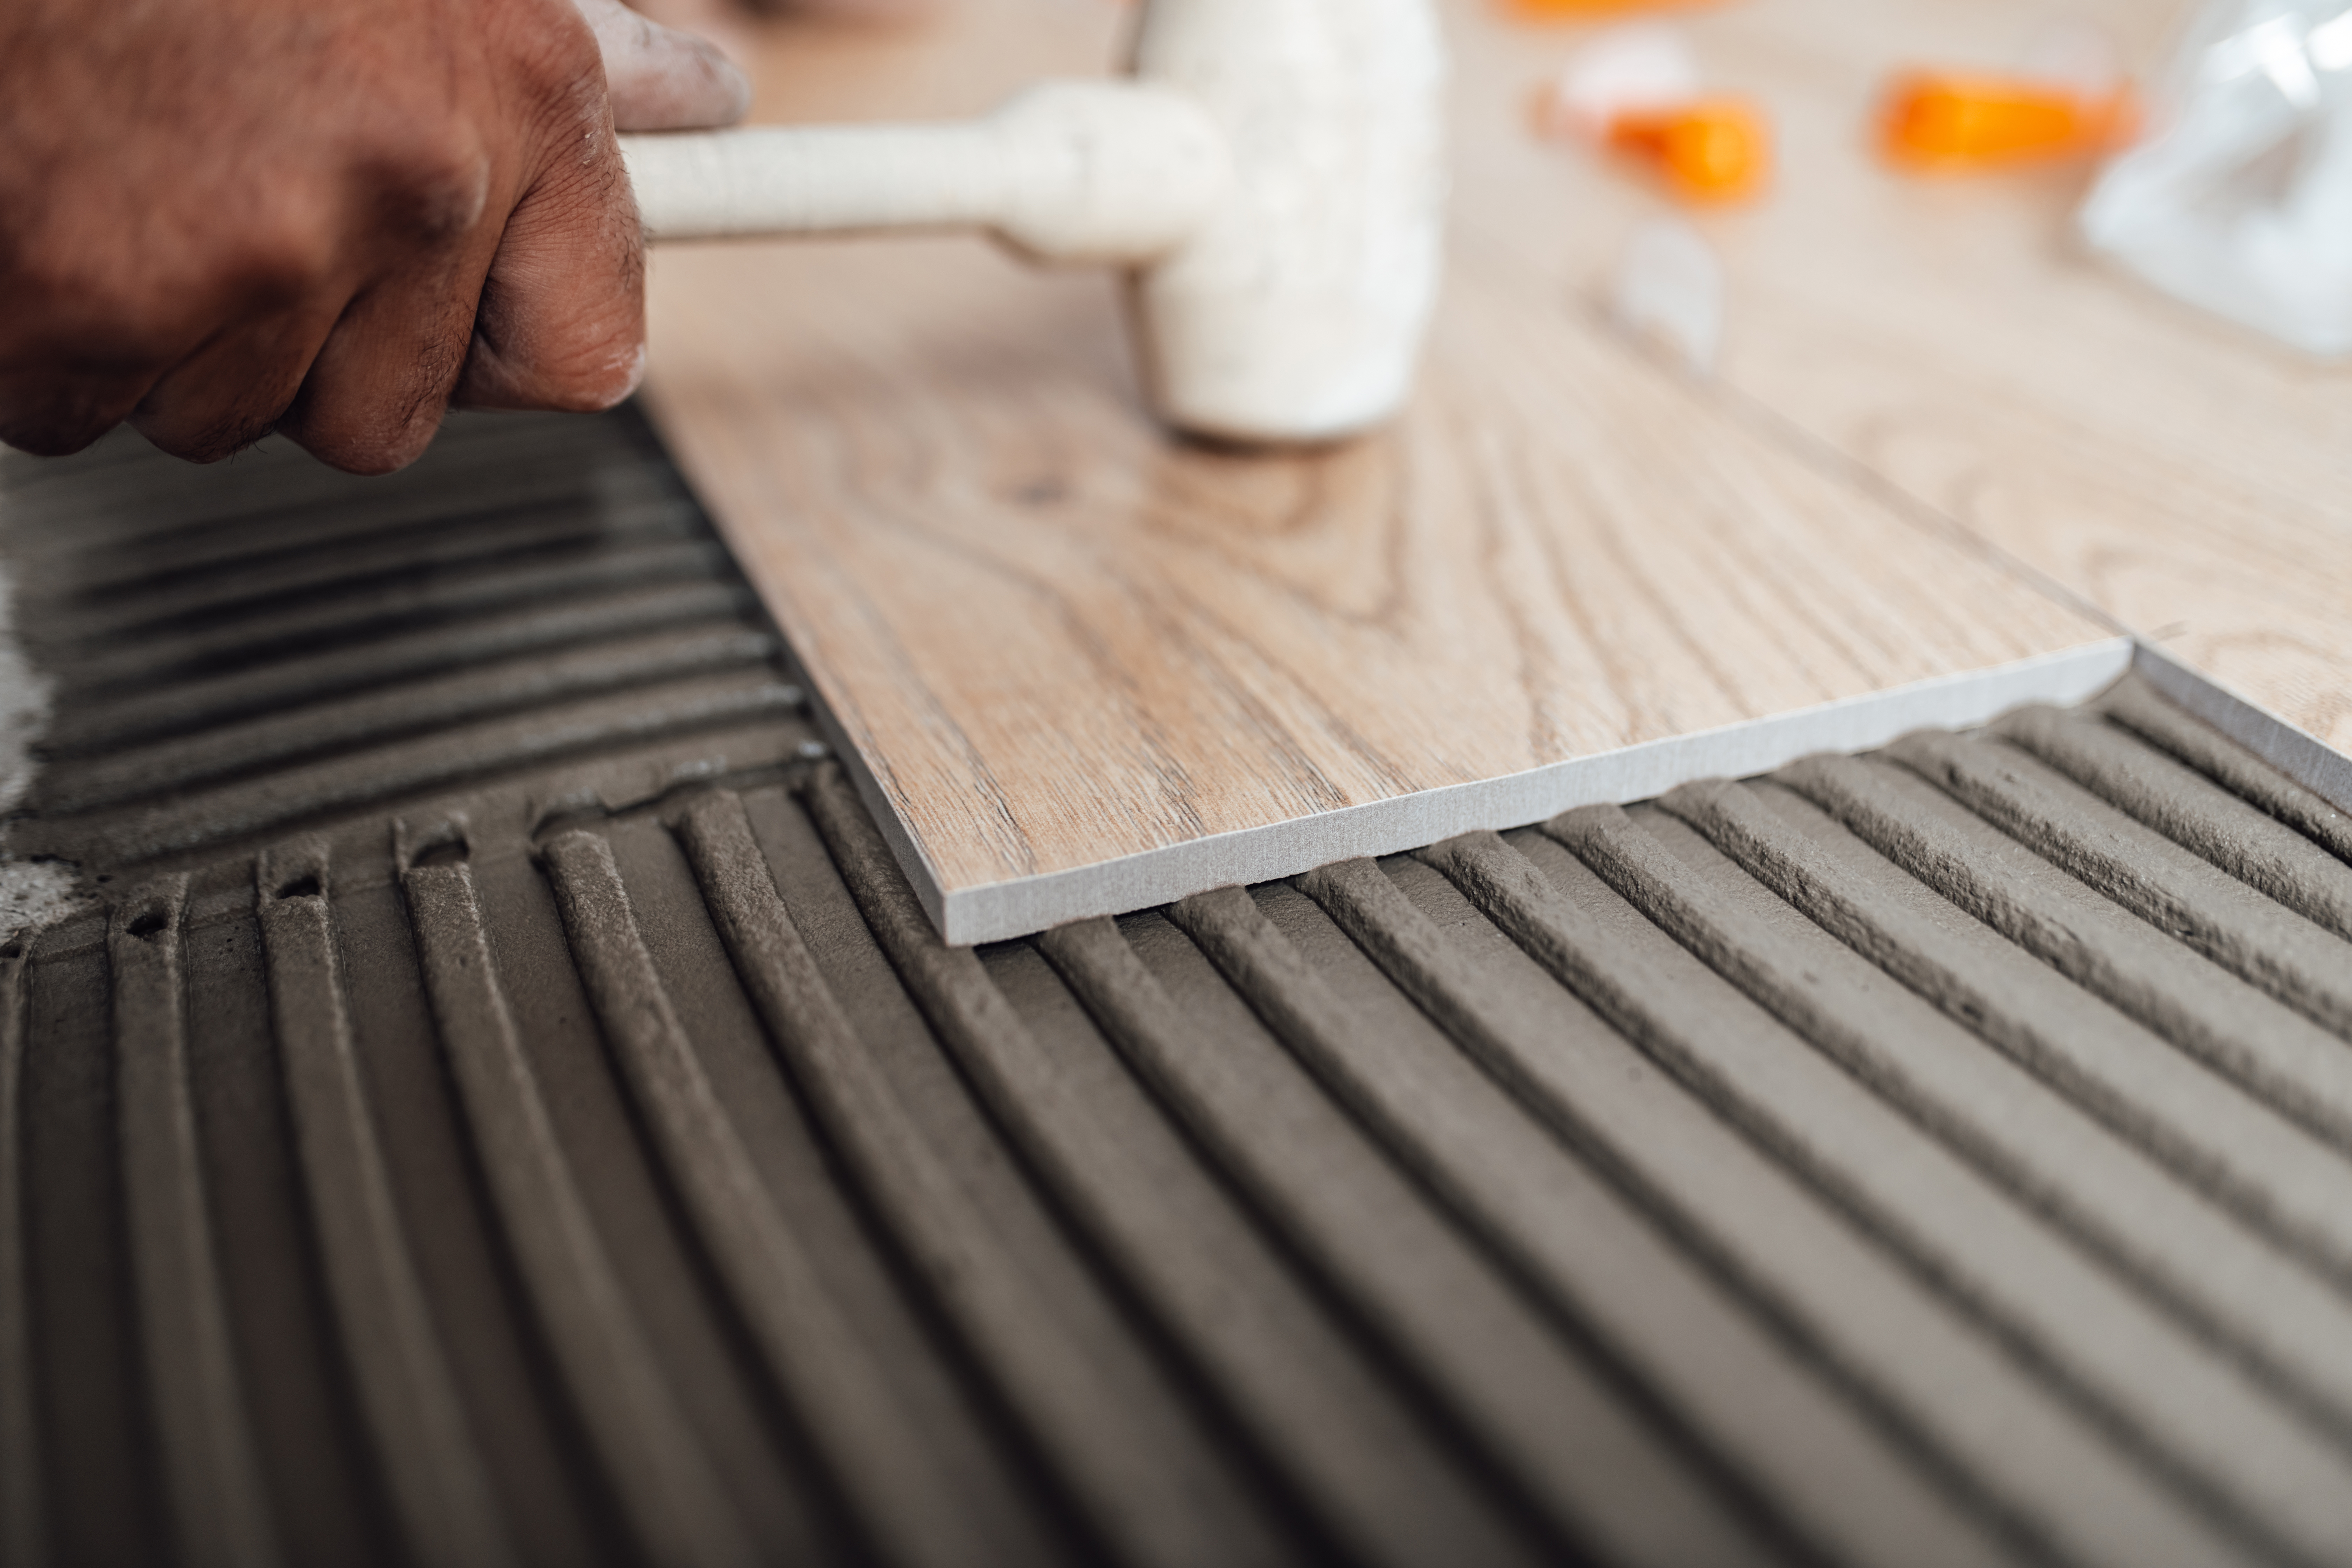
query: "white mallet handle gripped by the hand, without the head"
1069, 173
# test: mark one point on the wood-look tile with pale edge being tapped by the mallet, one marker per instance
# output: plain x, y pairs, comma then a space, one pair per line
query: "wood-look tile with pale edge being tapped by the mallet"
1088, 669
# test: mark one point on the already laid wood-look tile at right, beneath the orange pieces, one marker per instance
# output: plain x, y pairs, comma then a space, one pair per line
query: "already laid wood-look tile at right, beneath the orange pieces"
1953, 340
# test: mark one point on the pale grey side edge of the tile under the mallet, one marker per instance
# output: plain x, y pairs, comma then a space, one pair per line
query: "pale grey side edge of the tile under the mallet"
1027, 906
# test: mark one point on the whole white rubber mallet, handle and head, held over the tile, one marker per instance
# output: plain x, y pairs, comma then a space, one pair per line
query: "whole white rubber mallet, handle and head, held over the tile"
1271, 177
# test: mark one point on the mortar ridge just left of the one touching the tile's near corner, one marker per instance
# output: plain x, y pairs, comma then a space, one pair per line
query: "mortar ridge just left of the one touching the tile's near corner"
888, 1101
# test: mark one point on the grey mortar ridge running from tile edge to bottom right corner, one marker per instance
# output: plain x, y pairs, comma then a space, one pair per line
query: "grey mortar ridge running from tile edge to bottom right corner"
2012, 1275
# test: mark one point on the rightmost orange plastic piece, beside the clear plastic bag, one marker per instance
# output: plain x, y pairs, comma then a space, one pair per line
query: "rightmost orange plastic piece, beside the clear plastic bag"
1956, 123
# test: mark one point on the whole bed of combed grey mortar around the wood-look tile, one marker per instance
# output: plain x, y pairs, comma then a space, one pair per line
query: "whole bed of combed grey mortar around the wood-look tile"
505, 1106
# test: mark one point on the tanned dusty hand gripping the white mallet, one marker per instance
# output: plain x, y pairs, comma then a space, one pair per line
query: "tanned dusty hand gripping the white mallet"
323, 217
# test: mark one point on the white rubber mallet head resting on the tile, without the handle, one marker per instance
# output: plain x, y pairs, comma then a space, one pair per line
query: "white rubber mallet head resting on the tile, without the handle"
1297, 311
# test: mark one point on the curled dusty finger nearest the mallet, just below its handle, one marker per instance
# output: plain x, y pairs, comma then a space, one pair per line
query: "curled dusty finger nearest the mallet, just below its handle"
563, 311
